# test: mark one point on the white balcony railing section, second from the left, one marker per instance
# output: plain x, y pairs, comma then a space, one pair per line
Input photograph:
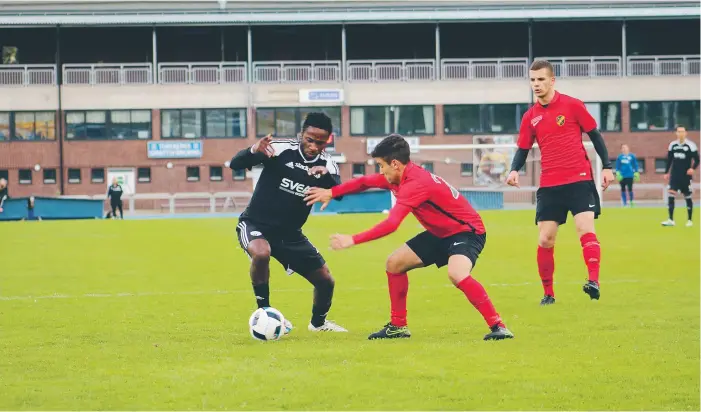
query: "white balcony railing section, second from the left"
108, 74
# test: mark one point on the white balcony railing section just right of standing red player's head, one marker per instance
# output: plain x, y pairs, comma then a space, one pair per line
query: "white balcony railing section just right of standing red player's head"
589, 66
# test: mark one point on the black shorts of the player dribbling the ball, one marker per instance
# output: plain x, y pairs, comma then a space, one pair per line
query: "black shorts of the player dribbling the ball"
292, 249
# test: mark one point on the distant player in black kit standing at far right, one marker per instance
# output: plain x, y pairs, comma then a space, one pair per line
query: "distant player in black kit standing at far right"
682, 159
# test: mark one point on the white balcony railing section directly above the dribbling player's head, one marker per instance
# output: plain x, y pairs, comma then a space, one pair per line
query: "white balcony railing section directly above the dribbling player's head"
297, 71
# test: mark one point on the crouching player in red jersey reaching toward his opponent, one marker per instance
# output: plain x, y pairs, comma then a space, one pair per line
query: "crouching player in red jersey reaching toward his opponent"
454, 233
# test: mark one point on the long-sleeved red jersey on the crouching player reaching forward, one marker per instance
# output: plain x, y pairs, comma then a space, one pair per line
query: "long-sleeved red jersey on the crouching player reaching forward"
438, 206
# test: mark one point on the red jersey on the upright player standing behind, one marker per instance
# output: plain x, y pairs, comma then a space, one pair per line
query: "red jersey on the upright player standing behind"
558, 127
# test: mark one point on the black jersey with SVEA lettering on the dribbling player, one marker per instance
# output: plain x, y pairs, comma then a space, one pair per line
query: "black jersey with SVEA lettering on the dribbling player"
278, 199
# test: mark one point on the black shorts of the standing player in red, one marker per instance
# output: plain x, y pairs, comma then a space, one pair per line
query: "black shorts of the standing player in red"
553, 203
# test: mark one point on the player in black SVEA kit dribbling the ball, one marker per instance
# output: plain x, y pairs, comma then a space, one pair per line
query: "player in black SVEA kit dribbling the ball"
272, 223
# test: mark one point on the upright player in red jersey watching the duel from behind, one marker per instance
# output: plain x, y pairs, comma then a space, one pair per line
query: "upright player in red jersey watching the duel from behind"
556, 121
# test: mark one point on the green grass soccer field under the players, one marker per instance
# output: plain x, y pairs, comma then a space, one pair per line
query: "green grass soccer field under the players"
152, 315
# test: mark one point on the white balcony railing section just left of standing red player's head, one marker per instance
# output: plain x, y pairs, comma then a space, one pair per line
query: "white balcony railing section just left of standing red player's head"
483, 69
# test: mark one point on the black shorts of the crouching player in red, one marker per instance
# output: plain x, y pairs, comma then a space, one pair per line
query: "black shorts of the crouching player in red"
434, 250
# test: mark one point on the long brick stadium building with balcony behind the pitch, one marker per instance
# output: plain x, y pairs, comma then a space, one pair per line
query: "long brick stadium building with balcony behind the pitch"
165, 91
